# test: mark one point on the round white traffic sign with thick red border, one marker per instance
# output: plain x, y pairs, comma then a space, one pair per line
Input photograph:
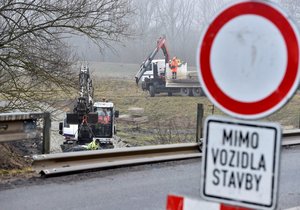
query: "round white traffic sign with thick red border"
248, 59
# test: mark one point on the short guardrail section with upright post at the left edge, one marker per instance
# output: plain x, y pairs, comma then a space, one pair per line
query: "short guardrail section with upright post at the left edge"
22, 126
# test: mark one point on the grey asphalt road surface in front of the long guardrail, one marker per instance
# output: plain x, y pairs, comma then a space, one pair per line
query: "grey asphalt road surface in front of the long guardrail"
134, 188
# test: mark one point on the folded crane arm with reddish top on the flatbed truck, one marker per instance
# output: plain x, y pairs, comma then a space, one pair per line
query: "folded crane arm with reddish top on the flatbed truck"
160, 45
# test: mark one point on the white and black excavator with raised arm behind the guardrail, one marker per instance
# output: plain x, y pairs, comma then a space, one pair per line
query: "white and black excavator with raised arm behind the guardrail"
89, 120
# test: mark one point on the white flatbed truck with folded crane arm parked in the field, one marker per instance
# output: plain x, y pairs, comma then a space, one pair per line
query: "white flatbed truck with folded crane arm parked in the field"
155, 75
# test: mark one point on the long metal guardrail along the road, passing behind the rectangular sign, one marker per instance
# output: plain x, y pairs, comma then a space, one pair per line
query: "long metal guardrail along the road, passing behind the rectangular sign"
62, 163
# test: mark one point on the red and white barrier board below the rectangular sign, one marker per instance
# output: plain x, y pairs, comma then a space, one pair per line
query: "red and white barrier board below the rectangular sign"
175, 202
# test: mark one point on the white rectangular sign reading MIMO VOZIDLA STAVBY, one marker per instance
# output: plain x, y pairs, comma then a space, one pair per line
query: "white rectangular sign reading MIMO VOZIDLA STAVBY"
241, 162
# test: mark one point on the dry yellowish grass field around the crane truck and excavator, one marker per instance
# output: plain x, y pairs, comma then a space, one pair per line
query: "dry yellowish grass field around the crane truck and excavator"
171, 119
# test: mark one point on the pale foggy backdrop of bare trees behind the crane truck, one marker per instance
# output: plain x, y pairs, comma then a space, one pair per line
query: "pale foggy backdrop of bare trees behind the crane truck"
181, 21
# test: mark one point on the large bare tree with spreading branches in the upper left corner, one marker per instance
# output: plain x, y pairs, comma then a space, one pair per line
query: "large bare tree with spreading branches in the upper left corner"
35, 63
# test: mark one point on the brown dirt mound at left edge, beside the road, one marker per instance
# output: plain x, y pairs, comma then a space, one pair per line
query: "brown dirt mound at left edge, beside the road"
11, 158
